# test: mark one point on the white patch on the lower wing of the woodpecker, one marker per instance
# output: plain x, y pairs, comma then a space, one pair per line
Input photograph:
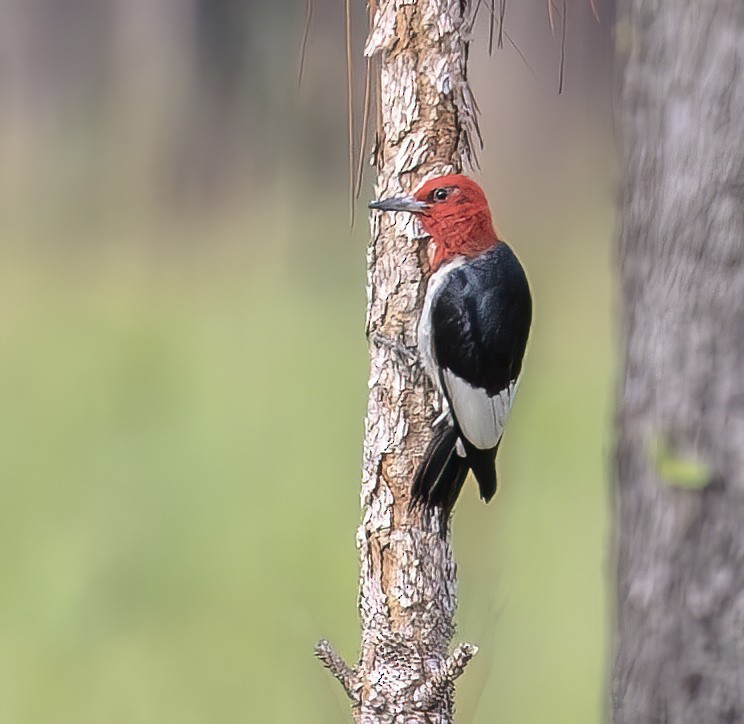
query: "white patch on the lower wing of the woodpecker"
481, 418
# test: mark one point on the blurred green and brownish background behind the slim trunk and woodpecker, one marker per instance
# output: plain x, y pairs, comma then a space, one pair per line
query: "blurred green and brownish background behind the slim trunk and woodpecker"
183, 367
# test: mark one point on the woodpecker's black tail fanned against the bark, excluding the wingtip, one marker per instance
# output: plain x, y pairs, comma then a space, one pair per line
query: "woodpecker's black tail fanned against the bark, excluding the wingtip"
440, 477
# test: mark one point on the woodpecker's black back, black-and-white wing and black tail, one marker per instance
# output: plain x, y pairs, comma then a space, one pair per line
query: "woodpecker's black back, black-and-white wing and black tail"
480, 324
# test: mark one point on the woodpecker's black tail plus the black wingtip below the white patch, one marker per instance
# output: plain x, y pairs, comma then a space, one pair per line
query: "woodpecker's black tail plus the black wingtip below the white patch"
441, 475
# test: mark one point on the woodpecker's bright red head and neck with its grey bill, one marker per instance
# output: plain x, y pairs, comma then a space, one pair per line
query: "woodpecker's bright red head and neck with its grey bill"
452, 210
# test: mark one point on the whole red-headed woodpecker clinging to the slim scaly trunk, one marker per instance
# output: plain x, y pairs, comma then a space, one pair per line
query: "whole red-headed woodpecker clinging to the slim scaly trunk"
471, 336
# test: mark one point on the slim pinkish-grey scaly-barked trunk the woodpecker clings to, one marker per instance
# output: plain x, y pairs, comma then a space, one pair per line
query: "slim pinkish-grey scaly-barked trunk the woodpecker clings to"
408, 577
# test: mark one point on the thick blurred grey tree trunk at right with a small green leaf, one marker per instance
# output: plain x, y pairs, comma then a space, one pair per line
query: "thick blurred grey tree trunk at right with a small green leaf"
680, 505
